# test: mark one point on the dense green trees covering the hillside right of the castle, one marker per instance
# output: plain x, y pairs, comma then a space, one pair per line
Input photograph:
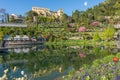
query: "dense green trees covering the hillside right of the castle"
107, 8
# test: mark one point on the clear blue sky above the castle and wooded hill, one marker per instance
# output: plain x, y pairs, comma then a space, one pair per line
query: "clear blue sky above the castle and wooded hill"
22, 6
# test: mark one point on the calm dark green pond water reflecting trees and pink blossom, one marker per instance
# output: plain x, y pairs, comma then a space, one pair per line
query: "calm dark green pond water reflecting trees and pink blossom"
42, 62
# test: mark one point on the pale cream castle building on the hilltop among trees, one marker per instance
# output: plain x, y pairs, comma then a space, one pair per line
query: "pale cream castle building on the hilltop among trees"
46, 12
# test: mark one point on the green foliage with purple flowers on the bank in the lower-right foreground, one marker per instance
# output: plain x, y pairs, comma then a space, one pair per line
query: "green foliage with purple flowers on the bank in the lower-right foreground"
101, 69
